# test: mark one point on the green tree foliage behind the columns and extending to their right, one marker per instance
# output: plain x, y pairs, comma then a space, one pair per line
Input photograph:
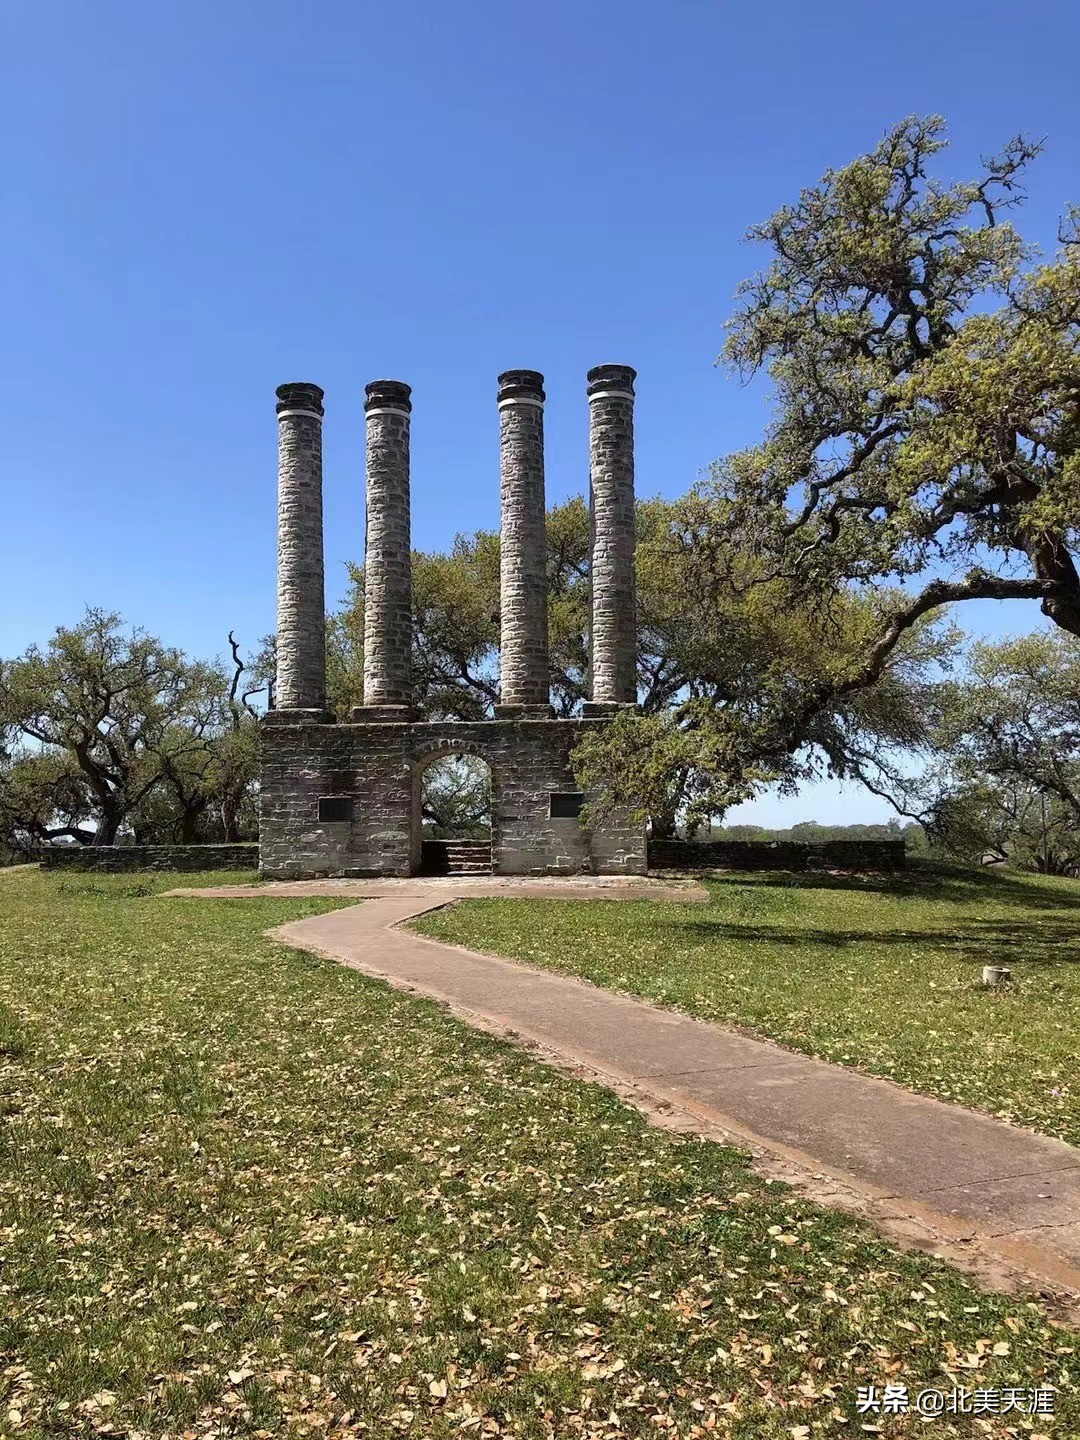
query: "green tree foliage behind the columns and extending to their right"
714, 663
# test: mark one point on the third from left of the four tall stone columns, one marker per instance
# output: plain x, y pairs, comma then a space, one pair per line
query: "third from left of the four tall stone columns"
523, 548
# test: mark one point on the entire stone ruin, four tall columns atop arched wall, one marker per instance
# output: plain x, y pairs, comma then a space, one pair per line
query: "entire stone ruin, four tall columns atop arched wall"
343, 798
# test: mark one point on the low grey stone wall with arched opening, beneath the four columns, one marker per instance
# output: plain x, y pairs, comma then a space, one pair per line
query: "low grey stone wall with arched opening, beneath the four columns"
381, 768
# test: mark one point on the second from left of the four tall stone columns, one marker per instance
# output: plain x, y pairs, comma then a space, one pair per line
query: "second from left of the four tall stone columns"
388, 557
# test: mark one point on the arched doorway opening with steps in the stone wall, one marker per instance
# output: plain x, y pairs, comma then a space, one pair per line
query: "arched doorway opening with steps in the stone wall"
453, 816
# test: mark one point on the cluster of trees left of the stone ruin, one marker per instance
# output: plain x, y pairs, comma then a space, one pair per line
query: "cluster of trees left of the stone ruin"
114, 732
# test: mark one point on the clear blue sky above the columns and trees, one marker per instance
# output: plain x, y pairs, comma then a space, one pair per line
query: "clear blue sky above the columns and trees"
204, 201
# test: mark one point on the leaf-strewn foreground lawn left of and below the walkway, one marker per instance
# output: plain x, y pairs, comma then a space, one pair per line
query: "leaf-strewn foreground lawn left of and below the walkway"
248, 1193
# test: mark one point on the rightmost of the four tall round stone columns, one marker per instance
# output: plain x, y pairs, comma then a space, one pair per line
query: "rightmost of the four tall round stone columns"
611, 486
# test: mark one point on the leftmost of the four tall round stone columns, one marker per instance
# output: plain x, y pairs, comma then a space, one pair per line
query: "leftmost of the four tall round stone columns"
302, 685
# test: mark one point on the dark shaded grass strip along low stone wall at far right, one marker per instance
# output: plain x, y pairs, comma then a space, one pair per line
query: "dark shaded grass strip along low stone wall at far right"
921, 882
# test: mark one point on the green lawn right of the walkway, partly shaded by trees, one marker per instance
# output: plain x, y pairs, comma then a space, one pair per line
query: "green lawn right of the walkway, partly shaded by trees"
878, 974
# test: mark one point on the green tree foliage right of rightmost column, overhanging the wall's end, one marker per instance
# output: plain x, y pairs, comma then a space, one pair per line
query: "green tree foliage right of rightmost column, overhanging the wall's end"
748, 663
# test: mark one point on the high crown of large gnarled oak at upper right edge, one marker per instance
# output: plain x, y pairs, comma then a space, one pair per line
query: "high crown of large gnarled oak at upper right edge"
927, 375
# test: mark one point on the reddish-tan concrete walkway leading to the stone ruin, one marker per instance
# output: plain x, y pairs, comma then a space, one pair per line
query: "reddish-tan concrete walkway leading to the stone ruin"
932, 1174
